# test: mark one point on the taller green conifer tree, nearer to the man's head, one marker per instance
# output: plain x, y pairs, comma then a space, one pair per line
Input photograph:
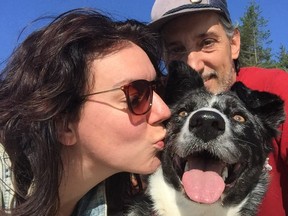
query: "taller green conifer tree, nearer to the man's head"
255, 50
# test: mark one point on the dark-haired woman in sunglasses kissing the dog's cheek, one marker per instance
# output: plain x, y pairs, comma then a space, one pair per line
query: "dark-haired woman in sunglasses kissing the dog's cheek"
78, 106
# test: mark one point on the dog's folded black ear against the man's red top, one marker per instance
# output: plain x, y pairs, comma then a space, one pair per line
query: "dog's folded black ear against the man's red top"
267, 106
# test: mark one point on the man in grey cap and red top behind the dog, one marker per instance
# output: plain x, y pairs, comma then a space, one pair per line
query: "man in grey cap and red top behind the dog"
201, 33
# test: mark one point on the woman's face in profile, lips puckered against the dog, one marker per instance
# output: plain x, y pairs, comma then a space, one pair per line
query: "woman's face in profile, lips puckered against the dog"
108, 136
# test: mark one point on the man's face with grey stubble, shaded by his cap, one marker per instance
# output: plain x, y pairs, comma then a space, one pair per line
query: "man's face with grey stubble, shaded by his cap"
200, 40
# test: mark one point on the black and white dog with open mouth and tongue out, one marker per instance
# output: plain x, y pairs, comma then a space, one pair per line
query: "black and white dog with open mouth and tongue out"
215, 159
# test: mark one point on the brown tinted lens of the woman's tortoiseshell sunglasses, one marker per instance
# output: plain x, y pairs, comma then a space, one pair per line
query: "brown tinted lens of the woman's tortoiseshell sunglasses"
140, 96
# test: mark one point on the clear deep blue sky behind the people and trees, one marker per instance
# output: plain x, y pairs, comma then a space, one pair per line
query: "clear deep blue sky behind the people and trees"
18, 14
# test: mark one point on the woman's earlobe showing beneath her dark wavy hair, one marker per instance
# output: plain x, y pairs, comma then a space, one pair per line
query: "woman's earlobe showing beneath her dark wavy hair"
66, 133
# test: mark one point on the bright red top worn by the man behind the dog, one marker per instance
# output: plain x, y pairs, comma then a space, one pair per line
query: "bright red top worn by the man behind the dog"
274, 81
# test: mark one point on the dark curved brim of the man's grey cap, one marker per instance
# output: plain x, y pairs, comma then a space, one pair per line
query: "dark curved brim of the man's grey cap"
158, 24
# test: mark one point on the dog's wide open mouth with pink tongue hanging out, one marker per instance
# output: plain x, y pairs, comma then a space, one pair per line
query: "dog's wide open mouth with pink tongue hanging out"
205, 176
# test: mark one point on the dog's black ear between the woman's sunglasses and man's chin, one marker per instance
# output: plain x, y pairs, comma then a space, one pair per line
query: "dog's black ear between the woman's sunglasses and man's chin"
181, 78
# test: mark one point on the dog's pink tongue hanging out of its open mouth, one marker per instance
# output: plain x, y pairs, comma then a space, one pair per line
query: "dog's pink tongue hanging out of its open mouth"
203, 186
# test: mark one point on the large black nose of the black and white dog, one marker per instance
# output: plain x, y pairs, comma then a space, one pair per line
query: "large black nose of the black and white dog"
206, 125
